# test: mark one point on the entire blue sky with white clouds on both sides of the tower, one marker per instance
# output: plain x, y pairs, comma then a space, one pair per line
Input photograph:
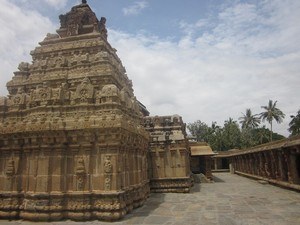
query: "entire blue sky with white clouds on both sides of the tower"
201, 59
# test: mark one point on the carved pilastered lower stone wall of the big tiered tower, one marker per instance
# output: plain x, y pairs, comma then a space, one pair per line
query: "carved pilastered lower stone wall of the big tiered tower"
76, 181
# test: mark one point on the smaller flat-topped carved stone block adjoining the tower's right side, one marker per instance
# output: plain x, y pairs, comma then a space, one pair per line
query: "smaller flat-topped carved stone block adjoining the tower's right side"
169, 156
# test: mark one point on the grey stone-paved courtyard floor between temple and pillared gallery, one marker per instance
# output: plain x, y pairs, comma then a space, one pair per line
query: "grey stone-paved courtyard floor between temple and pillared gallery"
230, 200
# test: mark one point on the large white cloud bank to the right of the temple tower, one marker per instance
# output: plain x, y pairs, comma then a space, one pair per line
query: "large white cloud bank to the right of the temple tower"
240, 59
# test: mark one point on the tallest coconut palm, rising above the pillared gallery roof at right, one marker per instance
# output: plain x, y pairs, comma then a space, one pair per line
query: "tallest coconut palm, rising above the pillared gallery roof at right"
272, 113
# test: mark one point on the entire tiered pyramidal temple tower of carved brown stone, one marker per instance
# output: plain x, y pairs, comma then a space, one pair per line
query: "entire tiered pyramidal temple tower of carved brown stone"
72, 141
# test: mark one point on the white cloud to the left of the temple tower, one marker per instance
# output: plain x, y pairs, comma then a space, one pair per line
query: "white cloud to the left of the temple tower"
21, 30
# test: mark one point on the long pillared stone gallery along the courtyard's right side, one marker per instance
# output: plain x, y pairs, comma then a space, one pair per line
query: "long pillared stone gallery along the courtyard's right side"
276, 162
